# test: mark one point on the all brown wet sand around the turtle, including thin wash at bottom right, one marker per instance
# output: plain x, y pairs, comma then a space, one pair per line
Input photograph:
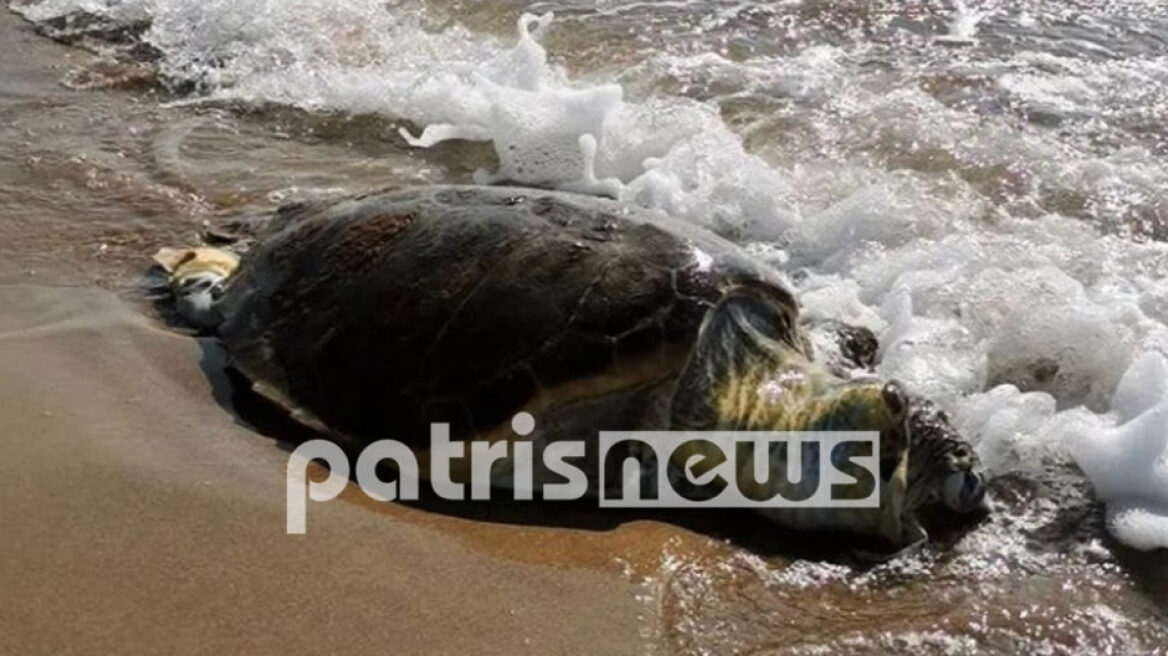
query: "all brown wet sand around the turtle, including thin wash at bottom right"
138, 514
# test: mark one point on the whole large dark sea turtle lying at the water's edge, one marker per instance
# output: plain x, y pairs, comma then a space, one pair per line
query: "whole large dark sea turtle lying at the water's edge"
377, 316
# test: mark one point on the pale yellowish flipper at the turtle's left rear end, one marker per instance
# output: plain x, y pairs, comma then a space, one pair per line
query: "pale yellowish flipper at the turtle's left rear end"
197, 280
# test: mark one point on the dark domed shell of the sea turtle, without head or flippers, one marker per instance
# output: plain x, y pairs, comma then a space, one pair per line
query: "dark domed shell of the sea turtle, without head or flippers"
384, 313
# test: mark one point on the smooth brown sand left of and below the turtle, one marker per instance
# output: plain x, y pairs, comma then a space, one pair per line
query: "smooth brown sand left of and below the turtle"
138, 517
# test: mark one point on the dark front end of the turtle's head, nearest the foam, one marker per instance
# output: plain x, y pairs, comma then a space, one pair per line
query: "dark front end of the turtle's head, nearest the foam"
943, 466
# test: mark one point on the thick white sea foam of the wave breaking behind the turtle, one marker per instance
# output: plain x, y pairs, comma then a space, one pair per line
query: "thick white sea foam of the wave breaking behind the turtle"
993, 260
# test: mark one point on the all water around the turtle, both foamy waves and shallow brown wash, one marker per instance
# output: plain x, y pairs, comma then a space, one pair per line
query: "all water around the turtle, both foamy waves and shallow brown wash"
983, 186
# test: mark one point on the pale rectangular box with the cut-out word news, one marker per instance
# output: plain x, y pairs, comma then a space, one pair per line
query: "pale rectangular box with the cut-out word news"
742, 470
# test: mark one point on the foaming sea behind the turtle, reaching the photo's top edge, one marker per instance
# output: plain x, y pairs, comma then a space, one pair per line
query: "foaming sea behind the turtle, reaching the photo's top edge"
982, 184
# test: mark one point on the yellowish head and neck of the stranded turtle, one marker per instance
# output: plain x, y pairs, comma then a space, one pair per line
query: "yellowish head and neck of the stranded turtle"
748, 373
